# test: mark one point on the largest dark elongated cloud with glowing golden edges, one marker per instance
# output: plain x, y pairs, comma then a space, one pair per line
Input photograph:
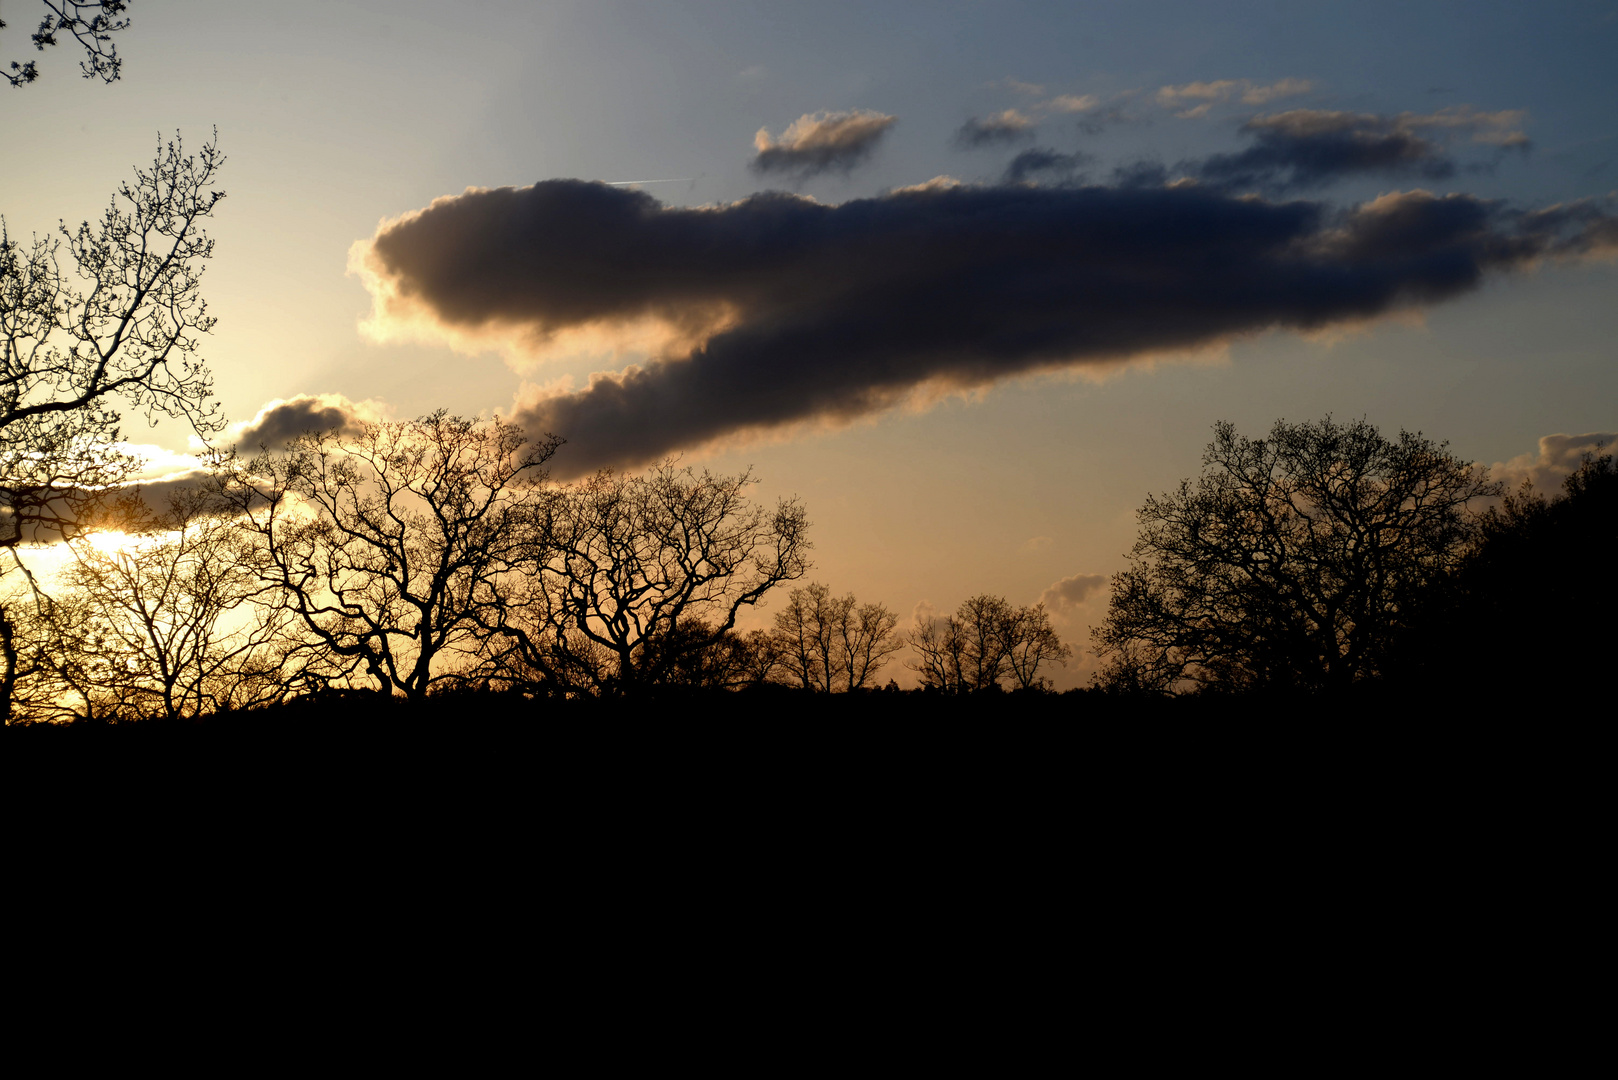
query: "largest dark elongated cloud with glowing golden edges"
786, 312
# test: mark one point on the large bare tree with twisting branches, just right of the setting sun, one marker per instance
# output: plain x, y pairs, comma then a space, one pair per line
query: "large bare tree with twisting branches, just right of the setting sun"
389, 548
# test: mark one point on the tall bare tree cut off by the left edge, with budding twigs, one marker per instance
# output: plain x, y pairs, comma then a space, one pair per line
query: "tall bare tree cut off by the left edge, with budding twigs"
122, 330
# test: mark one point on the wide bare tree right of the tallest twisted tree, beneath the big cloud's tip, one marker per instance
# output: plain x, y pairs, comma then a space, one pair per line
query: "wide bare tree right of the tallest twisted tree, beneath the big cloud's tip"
642, 572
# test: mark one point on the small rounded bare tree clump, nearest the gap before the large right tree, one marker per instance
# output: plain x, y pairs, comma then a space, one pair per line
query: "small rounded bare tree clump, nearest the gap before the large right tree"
983, 644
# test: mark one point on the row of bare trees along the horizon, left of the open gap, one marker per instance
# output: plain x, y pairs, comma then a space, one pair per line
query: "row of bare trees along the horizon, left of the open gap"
421, 556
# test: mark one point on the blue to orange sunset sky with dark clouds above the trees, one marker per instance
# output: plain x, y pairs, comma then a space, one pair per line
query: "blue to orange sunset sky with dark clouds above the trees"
972, 279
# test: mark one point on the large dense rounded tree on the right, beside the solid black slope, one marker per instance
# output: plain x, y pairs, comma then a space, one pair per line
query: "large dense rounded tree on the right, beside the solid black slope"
1292, 563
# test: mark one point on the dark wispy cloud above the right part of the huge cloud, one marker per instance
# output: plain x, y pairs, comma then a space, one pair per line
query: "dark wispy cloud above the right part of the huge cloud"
1310, 148
